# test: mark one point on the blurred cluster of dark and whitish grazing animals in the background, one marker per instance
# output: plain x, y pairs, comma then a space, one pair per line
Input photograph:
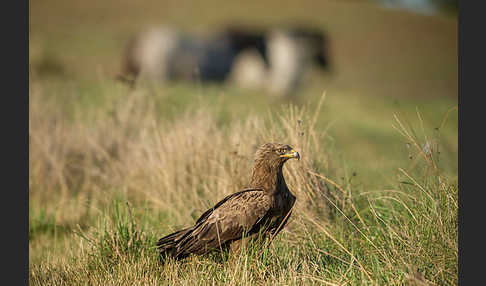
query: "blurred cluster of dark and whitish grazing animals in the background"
274, 59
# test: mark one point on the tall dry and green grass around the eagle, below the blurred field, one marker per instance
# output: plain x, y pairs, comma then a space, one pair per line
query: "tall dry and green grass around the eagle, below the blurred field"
118, 177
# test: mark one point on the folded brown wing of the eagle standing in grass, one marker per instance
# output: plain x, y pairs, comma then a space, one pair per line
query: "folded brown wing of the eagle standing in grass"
237, 214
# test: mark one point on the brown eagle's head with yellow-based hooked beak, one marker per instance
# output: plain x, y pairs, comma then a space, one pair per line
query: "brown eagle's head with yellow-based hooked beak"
276, 154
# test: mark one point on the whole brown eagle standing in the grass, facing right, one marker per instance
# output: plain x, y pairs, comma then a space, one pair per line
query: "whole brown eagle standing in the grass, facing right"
262, 208
